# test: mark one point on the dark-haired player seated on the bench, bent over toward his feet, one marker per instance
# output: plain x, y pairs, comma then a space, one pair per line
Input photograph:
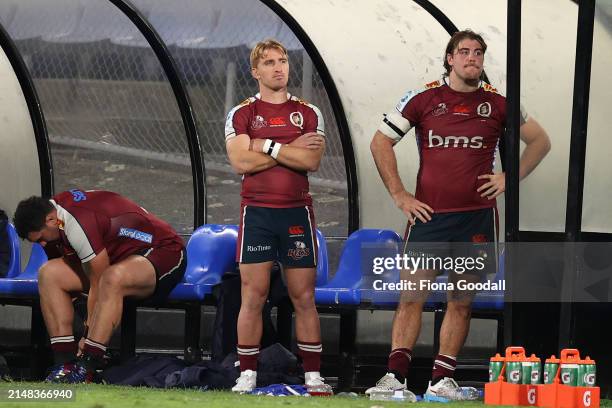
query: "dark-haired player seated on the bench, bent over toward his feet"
109, 248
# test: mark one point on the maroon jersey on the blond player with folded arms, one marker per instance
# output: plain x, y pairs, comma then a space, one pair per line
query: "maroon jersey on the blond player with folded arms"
279, 186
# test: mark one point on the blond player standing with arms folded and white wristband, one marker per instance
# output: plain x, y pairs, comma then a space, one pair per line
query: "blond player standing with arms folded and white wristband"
274, 139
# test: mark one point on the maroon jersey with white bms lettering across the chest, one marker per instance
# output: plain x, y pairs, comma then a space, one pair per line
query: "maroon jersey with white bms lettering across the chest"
457, 135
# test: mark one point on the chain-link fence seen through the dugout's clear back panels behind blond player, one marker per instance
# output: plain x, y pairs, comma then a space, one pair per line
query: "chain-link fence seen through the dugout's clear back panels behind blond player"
103, 89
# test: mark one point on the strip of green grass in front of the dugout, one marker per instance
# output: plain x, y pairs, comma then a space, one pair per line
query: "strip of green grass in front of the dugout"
109, 396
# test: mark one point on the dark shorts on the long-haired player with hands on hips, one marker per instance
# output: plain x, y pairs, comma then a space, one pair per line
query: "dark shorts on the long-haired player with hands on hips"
468, 234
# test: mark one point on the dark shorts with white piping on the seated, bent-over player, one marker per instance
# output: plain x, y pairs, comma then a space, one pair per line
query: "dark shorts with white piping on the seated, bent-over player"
169, 267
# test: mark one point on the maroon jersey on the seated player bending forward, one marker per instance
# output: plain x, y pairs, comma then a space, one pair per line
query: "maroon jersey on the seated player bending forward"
91, 221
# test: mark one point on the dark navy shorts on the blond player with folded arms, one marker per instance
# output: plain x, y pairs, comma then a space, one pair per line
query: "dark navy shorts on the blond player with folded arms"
283, 234
